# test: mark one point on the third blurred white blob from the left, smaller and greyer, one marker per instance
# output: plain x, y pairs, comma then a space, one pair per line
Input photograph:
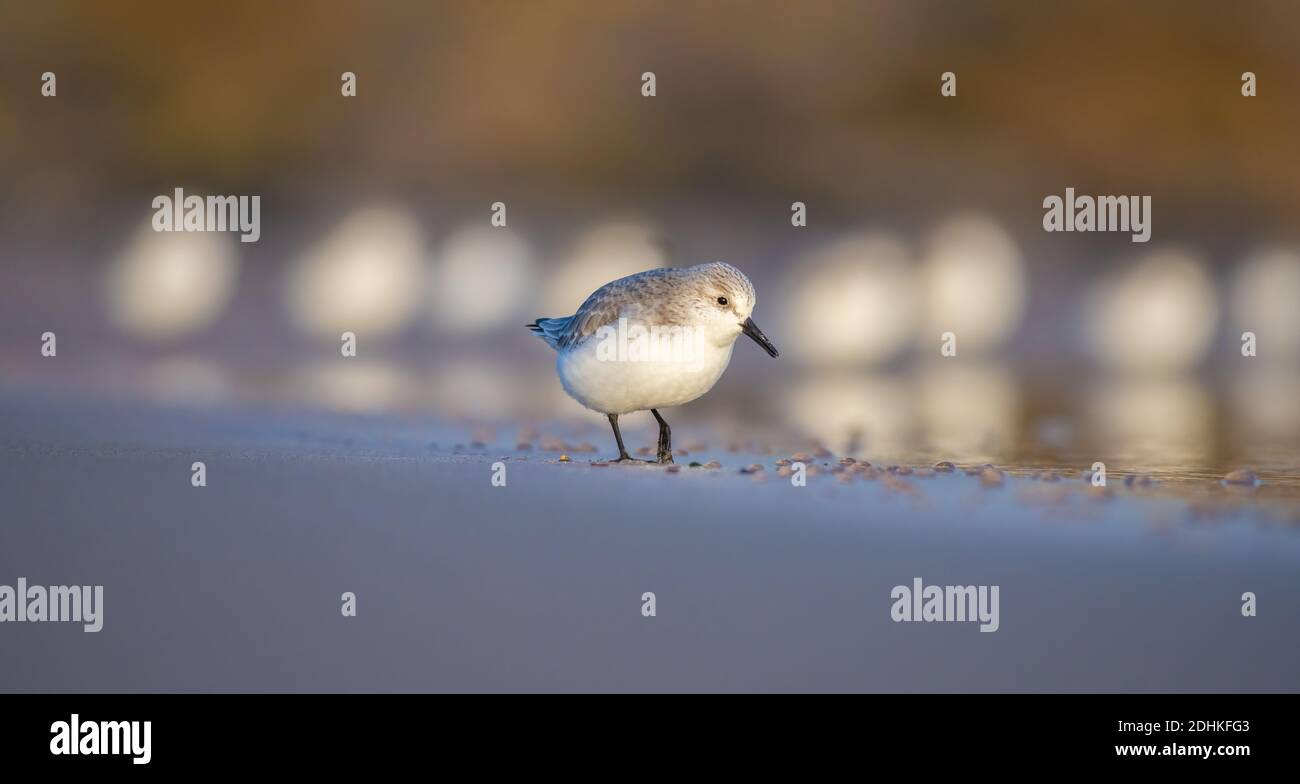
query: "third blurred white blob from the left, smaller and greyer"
480, 281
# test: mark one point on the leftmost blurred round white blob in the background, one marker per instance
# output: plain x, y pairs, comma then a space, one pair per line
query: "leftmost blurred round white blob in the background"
167, 285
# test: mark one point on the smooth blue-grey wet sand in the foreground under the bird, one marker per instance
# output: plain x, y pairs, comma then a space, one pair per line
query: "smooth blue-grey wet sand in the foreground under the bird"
538, 586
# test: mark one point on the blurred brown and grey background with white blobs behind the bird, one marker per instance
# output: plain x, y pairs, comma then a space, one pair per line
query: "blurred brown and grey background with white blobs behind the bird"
924, 214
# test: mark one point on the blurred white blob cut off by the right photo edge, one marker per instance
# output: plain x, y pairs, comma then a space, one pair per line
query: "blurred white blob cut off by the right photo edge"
1267, 301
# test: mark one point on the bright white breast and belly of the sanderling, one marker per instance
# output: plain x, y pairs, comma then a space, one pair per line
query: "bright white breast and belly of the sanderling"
622, 387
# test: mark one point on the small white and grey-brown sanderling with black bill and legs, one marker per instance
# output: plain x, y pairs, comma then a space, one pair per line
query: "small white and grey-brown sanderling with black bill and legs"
653, 340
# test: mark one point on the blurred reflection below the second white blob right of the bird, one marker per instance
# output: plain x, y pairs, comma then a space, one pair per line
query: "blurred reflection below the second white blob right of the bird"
970, 412
